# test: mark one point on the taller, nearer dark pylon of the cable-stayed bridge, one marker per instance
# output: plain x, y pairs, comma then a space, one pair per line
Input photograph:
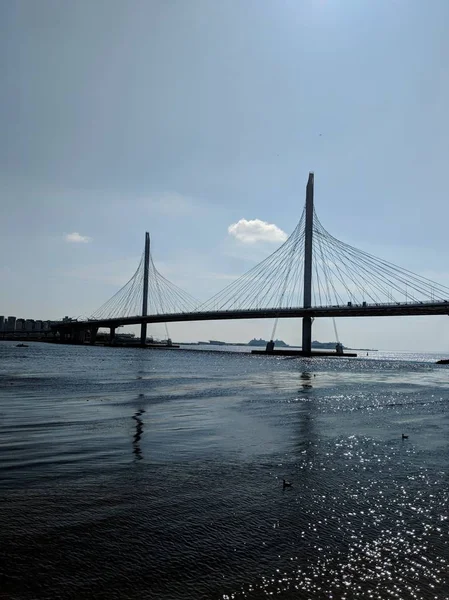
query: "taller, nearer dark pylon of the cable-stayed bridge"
308, 256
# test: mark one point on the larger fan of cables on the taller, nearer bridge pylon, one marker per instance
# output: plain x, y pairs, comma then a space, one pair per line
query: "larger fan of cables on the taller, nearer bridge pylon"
341, 274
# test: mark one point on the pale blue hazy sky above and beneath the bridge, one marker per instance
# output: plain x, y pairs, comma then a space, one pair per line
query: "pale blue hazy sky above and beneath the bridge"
199, 122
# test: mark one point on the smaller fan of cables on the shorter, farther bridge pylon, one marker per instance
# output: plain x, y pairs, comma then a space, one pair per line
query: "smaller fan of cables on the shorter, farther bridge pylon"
163, 296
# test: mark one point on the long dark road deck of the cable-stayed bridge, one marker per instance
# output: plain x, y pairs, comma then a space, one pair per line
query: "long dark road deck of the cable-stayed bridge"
381, 310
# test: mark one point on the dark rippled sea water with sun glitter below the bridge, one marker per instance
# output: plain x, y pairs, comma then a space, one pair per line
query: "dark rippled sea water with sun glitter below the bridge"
130, 473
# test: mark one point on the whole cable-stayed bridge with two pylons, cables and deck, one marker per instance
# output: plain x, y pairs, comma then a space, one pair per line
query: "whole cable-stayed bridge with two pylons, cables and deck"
311, 275
